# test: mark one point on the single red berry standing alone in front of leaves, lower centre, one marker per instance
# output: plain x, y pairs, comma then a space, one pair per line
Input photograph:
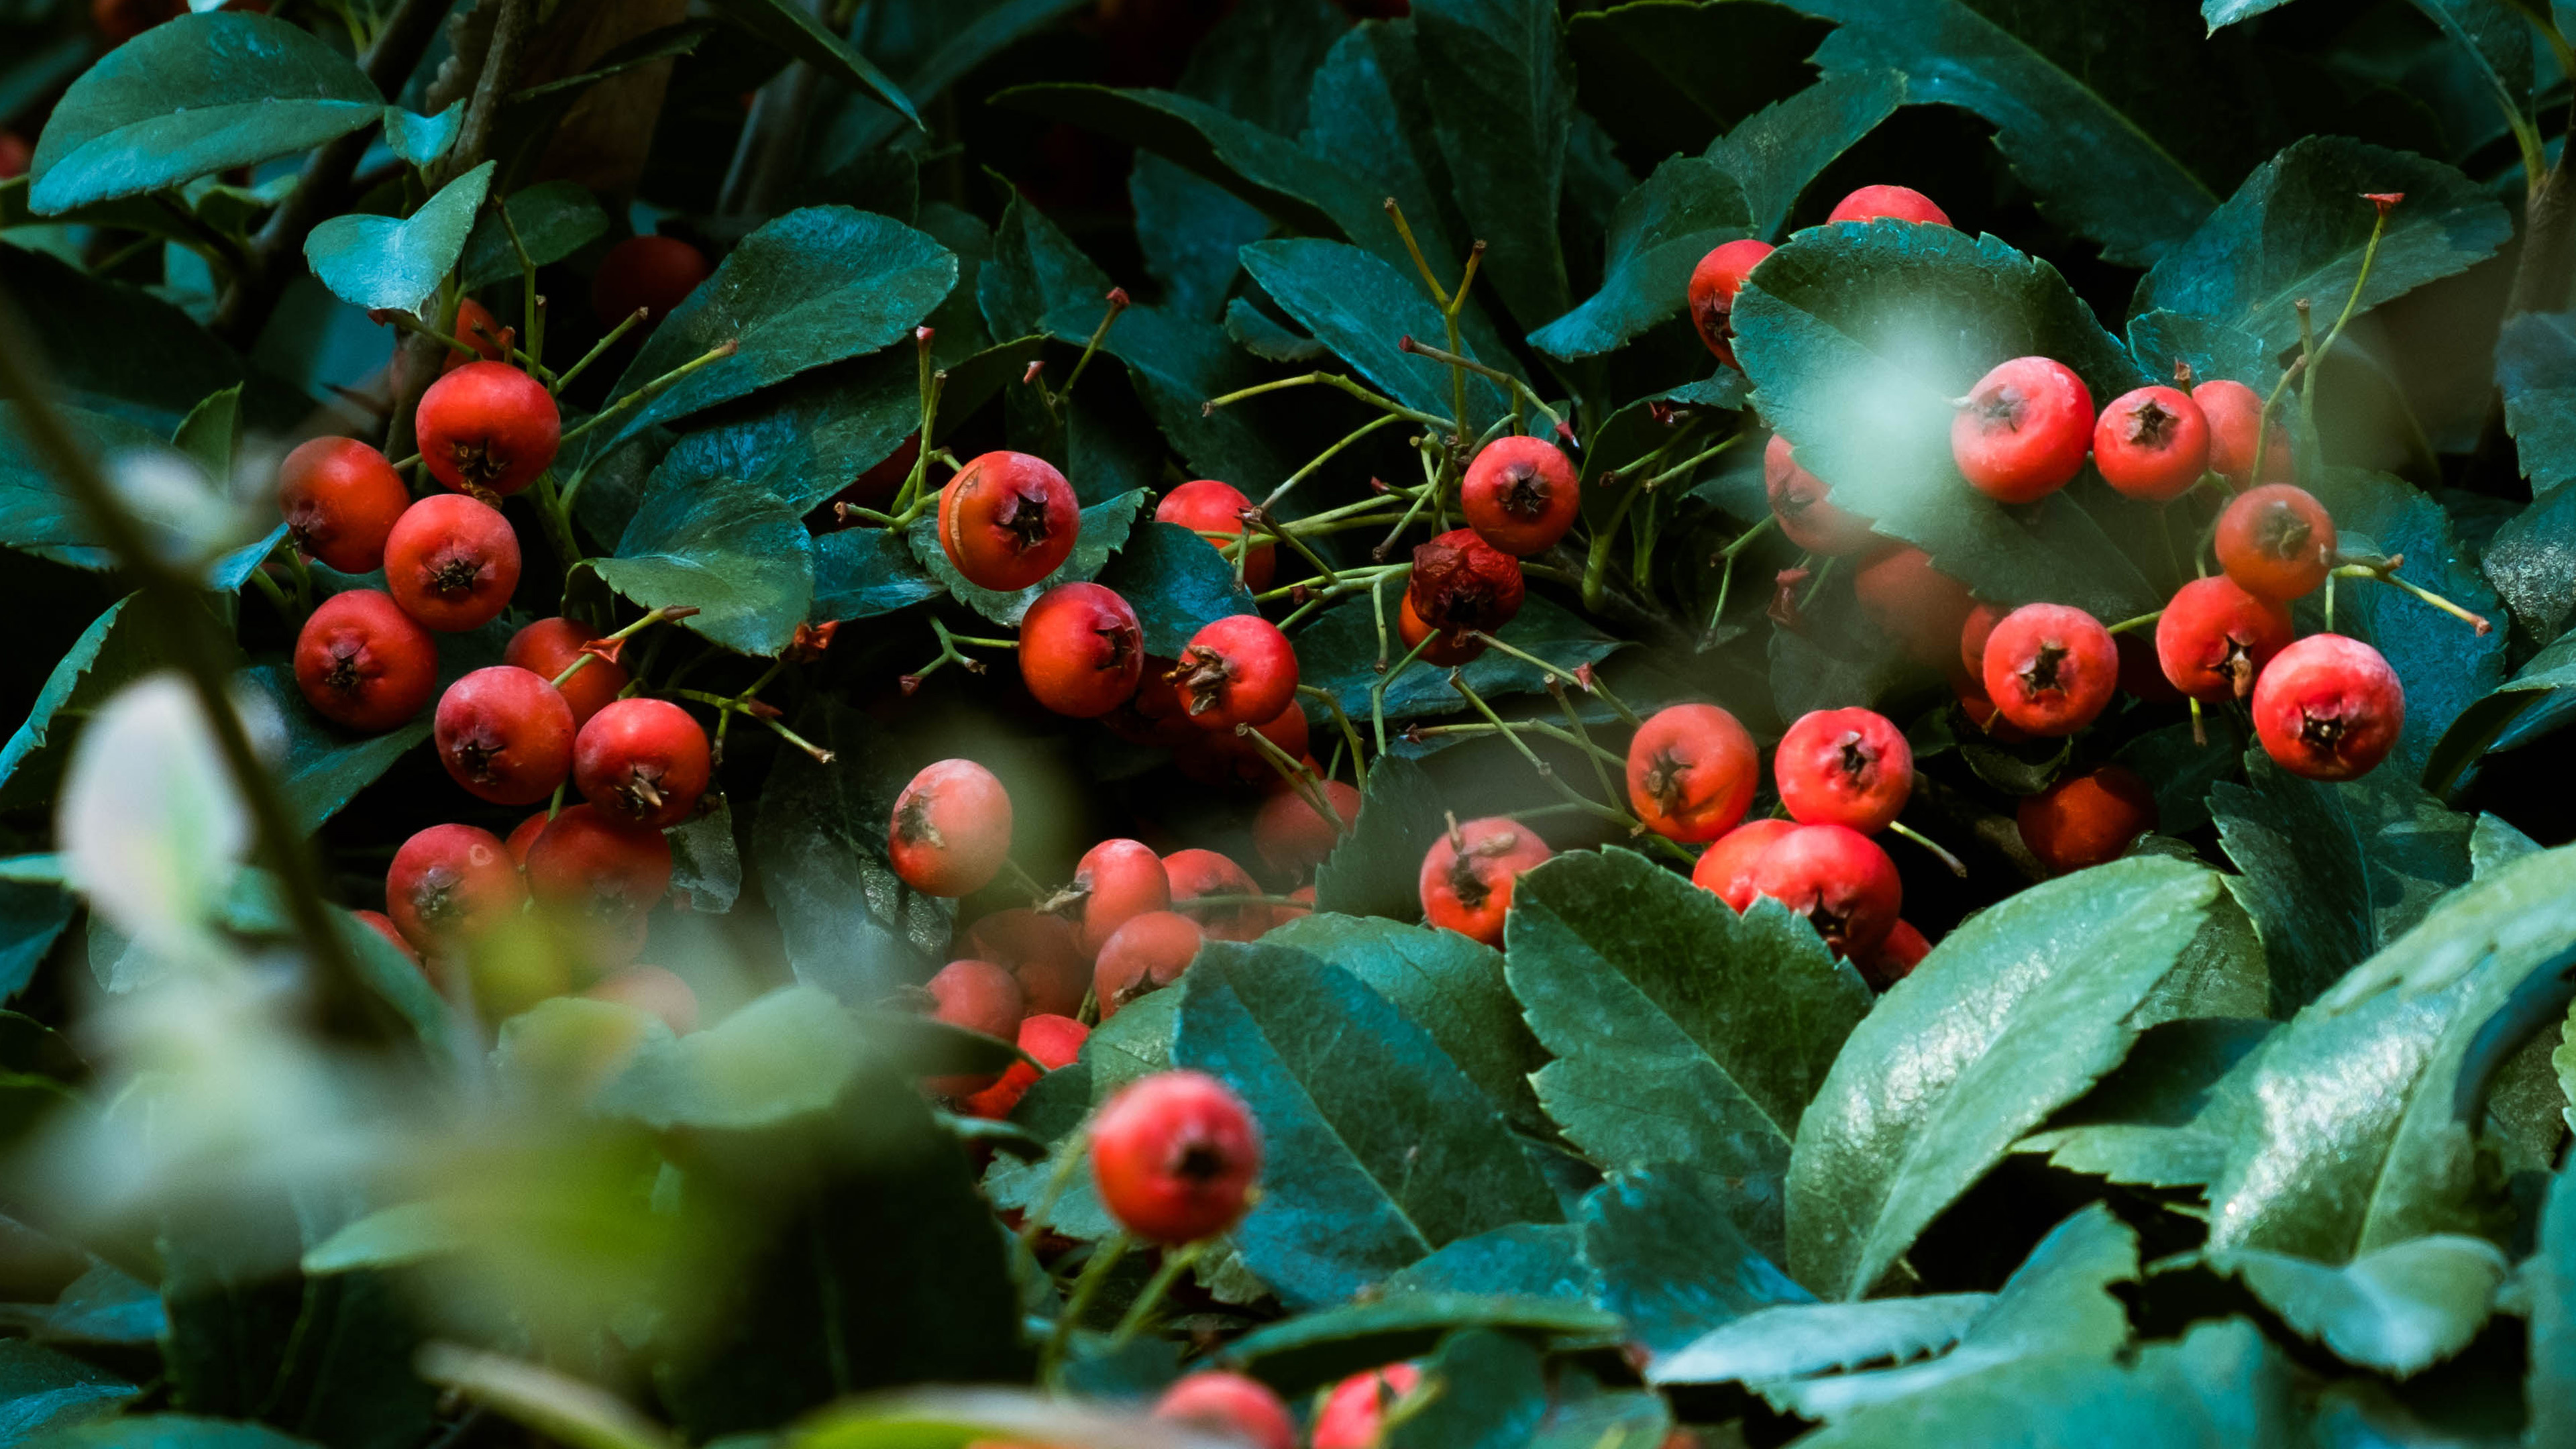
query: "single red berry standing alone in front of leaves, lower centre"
1176, 1156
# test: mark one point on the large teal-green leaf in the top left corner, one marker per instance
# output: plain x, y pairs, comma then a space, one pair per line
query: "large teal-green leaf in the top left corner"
189, 99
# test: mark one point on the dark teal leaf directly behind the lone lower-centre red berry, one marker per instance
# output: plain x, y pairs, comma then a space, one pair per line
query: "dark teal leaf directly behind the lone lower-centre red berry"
1379, 1149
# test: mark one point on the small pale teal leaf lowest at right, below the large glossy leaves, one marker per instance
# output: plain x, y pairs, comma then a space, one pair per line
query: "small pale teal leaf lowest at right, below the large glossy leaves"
2400, 1311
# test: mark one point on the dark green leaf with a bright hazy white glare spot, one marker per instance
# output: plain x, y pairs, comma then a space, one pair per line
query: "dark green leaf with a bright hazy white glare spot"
1861, 336
